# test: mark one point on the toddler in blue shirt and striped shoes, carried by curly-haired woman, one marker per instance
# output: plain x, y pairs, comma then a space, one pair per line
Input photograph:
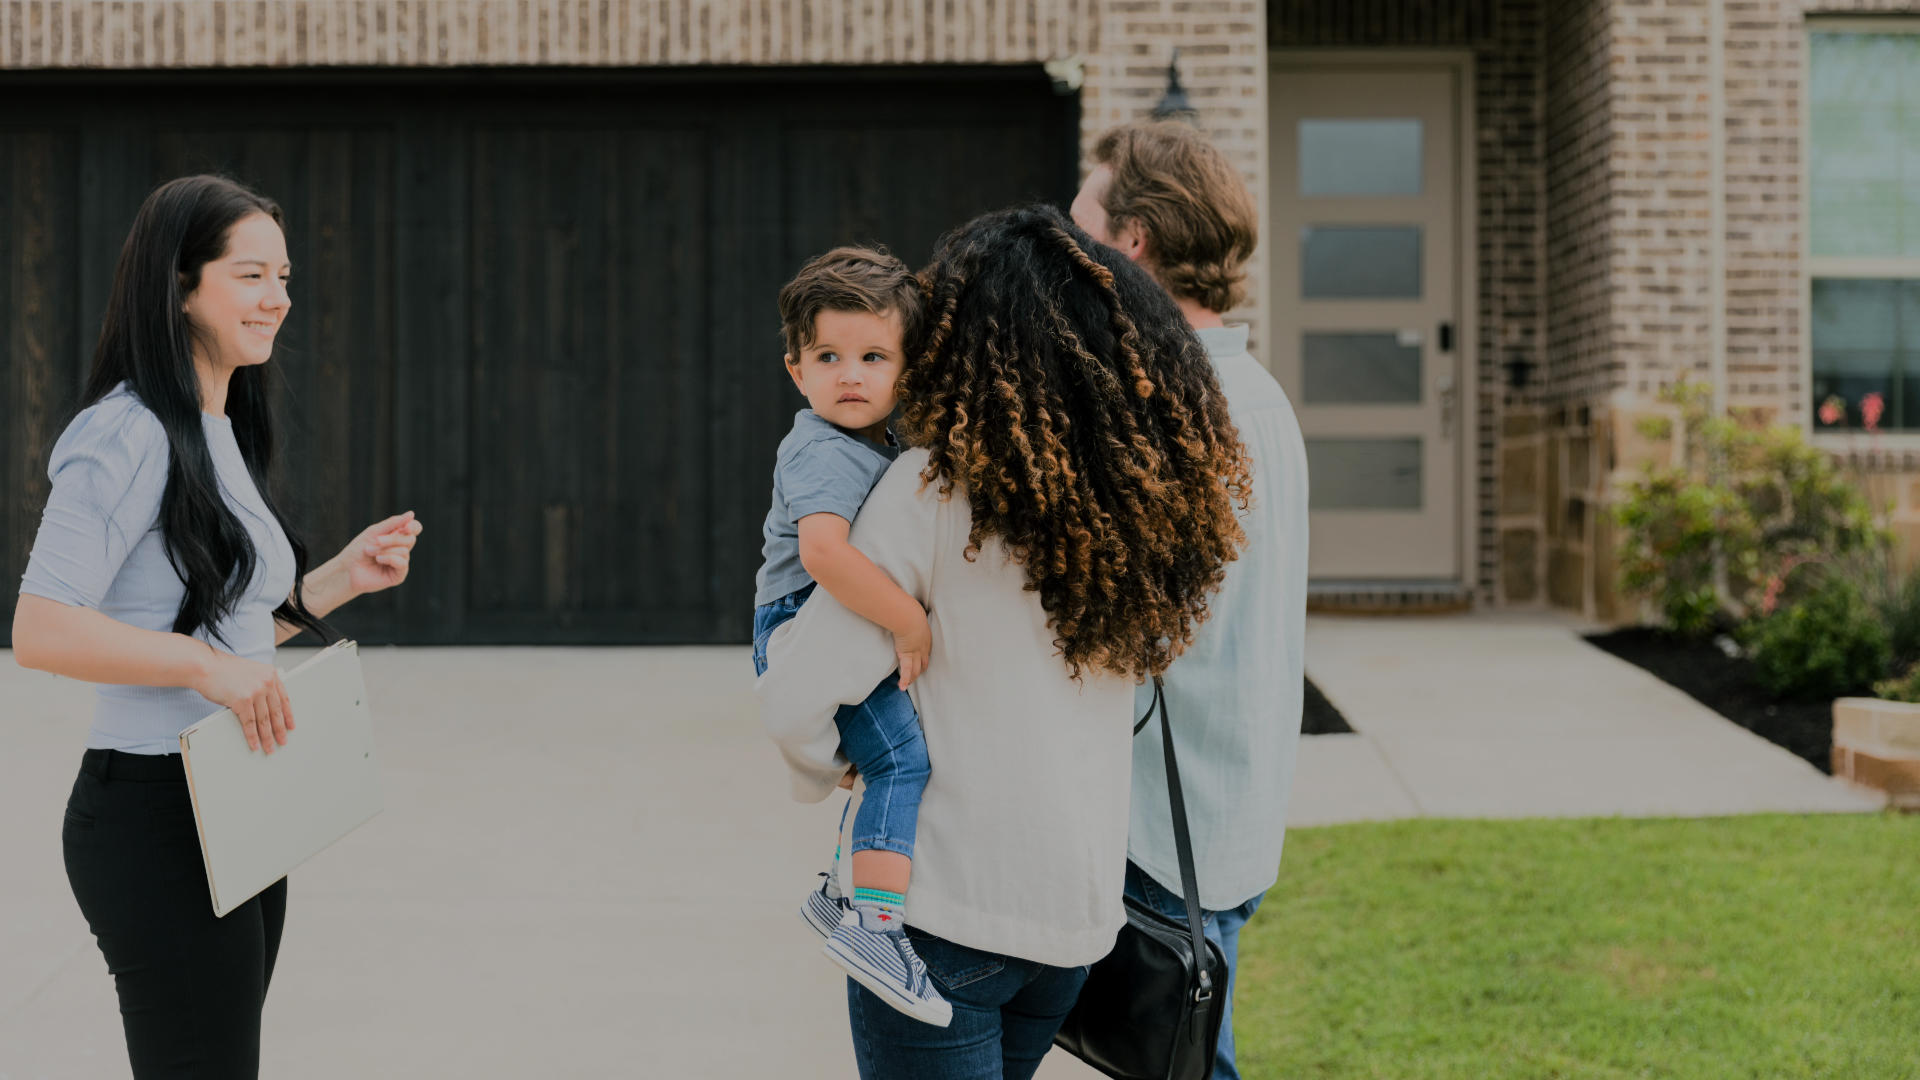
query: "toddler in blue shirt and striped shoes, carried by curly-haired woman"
848, 318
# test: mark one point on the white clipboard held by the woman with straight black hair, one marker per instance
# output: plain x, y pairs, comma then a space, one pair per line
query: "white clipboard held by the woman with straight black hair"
264, 814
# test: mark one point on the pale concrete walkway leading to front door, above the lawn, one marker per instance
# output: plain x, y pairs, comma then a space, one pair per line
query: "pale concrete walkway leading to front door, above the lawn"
1514, 716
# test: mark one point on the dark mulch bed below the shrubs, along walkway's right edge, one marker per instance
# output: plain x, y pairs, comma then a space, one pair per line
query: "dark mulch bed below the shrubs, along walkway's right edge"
1727, 687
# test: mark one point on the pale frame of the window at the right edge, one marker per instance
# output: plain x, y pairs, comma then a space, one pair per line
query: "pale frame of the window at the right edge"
1842, 266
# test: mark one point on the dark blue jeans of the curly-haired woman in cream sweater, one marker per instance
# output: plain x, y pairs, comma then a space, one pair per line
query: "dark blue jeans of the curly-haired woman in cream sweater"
1007, 1012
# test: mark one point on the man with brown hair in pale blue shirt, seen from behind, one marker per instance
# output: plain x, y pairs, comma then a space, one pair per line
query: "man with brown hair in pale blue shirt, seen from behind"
1164, 197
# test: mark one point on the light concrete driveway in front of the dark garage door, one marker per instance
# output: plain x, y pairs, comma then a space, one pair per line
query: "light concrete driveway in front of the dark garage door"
588, 868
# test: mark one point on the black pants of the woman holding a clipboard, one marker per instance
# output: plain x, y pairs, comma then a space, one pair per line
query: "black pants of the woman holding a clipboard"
191, 987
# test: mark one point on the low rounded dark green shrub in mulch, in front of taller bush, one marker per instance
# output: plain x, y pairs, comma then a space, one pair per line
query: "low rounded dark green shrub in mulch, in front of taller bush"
1827, 645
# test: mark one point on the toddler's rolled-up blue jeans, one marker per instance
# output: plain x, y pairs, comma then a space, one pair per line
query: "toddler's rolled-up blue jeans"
882, 739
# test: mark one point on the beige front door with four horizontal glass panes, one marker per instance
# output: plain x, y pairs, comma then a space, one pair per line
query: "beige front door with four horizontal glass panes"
1366, 307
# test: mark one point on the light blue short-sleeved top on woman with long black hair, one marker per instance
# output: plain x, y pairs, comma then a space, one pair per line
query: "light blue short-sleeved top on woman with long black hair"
101, 547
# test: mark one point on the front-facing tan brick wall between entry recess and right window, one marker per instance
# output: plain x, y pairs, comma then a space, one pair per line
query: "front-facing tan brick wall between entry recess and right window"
1664, 89
